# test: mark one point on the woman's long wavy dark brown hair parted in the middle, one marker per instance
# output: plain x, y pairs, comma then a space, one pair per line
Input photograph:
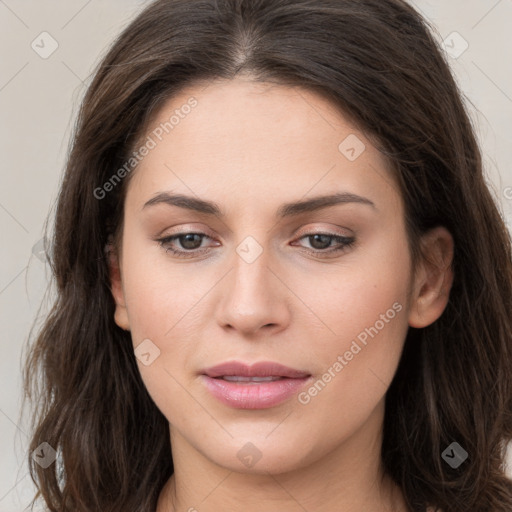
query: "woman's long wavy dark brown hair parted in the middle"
379, 62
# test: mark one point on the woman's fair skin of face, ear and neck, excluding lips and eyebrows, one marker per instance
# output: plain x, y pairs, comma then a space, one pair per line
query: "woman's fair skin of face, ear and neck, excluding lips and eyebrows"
250, 147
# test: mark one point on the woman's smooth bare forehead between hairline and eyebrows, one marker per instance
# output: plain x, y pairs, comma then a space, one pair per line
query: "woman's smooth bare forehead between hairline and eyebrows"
257, 140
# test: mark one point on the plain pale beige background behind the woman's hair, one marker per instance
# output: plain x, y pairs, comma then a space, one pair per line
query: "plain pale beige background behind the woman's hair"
39, 99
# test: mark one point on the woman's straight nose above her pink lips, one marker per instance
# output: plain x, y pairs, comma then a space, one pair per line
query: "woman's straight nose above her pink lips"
254, 297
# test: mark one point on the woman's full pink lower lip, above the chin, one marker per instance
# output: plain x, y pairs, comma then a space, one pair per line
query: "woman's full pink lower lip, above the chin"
257, 395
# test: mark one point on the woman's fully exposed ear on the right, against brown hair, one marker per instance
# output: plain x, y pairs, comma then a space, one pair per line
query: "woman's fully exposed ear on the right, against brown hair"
433, 279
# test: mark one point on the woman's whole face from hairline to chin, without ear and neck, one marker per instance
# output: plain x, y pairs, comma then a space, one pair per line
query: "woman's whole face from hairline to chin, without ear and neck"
254, 284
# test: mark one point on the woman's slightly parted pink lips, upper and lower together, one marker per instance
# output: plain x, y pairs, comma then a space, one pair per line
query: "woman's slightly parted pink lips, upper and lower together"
254, 395
